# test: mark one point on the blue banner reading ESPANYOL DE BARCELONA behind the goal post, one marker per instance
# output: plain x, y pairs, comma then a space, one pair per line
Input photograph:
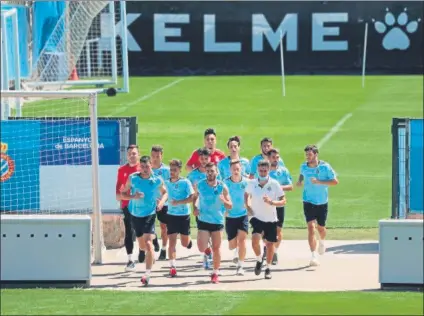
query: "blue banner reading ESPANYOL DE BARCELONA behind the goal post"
68, 142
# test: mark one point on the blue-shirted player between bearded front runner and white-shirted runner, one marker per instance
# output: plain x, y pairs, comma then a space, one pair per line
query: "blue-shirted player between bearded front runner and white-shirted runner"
237, 221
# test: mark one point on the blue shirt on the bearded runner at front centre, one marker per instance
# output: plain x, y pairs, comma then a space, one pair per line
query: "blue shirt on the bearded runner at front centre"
211, 208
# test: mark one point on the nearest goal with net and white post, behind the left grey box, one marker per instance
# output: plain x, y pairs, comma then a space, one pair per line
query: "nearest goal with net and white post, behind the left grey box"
49, 157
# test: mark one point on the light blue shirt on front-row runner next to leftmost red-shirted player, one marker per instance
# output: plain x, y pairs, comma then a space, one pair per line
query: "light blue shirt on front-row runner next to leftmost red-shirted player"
151, 188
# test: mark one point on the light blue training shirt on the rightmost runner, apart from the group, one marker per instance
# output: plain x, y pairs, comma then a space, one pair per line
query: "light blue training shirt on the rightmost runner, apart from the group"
316, 193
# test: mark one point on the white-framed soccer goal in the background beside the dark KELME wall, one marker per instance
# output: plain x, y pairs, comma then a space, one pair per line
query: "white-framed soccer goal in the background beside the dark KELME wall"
87, 47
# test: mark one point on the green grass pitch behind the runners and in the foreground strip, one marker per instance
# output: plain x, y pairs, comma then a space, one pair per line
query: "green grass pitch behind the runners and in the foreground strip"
253, 107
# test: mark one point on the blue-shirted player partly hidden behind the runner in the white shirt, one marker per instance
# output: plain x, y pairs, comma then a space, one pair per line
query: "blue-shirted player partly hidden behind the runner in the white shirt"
282, 175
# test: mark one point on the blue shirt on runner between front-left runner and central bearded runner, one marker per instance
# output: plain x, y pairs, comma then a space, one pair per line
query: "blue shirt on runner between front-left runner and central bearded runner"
179, 190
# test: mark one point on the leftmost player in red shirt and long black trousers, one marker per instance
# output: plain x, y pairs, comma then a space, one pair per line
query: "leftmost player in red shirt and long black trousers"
133, 165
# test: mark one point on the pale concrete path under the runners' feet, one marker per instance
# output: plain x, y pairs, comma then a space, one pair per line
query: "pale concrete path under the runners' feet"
347, 265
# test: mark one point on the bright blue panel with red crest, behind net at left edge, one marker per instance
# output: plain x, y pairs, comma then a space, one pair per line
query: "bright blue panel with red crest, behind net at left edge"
20, 164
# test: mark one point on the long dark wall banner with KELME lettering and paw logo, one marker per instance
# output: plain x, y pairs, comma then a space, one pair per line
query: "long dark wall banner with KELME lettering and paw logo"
236, 37
